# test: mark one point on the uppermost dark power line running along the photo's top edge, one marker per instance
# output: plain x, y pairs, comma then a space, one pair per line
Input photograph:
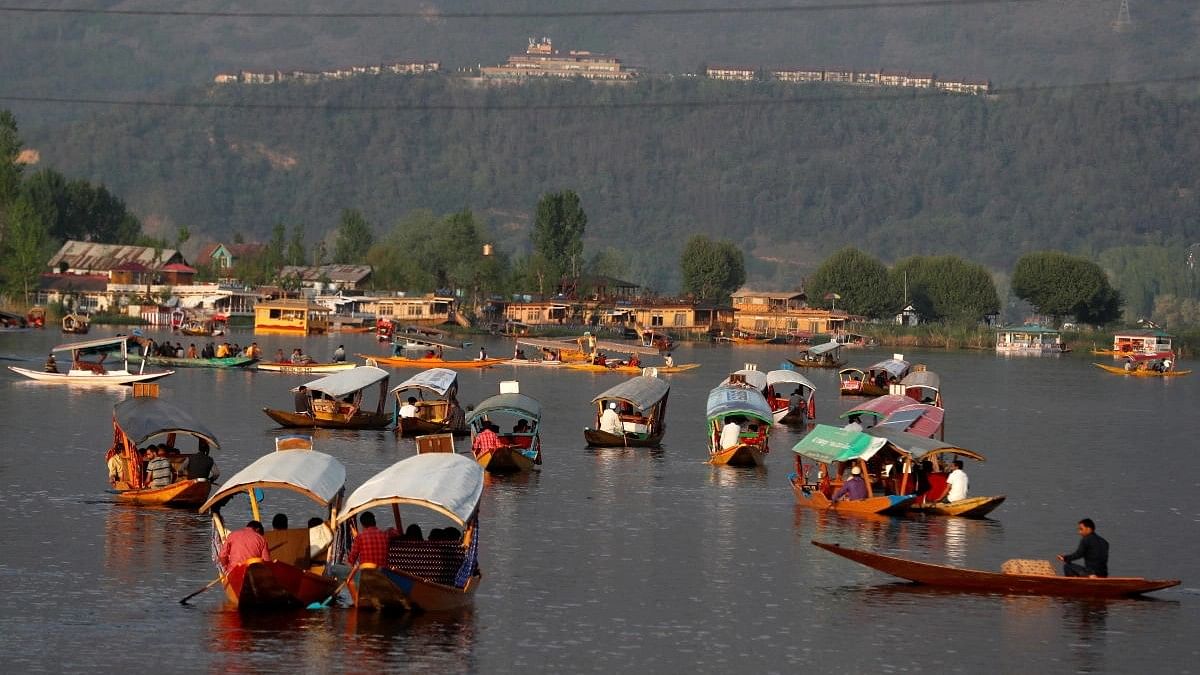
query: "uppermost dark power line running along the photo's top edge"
523, 15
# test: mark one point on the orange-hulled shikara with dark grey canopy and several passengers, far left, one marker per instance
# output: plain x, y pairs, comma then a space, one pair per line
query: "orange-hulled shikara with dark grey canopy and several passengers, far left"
145, 419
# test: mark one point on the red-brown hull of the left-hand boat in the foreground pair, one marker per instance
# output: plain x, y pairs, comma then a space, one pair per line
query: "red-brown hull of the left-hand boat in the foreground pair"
268, 584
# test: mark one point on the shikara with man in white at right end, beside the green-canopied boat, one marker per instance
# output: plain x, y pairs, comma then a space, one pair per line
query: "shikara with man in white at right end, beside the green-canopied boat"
919, 451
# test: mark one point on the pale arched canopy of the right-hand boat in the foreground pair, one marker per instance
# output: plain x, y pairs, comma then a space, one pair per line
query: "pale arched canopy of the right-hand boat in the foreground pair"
443, 482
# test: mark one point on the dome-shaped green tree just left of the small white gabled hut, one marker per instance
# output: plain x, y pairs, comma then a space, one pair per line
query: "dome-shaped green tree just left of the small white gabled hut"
861, 280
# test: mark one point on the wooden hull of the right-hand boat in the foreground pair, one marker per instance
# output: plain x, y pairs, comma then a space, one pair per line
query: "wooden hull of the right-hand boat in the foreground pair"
382, 589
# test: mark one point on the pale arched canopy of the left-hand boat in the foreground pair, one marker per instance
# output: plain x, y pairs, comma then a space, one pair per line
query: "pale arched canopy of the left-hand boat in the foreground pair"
315, 475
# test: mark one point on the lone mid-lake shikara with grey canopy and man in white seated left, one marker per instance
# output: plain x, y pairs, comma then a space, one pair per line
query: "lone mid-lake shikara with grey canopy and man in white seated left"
643, 408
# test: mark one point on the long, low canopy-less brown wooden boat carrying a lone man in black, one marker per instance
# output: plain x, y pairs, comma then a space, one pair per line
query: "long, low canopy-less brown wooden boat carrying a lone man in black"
981, 581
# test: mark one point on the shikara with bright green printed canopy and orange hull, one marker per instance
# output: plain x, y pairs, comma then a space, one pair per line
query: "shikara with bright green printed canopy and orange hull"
833, 451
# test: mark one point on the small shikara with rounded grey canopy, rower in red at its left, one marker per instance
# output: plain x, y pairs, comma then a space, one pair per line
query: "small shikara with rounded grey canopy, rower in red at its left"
521, 451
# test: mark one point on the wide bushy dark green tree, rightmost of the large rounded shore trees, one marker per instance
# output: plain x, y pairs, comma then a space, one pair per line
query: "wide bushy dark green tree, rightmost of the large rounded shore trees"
1060, 285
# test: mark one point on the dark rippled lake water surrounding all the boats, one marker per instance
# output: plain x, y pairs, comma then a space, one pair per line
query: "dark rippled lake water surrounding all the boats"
622, 560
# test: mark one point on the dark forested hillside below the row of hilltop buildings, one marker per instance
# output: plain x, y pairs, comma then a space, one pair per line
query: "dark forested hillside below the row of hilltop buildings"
790, 174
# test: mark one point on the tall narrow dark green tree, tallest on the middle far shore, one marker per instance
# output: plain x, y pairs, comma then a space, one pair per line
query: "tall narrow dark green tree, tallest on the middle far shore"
559, 236
